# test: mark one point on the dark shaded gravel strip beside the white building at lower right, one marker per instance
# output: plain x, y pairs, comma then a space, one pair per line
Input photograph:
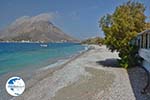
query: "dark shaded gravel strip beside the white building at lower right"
138, 80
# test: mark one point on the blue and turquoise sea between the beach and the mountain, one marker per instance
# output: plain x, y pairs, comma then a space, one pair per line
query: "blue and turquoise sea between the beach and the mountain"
20, 56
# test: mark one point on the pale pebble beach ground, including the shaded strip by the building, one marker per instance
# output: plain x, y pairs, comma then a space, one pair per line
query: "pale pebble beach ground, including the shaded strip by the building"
94, 75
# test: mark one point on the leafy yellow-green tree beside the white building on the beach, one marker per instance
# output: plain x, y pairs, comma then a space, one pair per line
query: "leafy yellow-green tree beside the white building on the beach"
120, 27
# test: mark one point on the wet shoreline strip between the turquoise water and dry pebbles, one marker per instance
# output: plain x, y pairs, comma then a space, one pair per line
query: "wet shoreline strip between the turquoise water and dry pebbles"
37, 75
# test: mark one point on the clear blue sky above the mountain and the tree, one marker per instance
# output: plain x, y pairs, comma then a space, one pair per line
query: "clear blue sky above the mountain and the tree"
78, 18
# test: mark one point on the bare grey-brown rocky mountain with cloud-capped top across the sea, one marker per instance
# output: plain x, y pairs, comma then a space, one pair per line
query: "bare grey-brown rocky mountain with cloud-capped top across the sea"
37, 28
